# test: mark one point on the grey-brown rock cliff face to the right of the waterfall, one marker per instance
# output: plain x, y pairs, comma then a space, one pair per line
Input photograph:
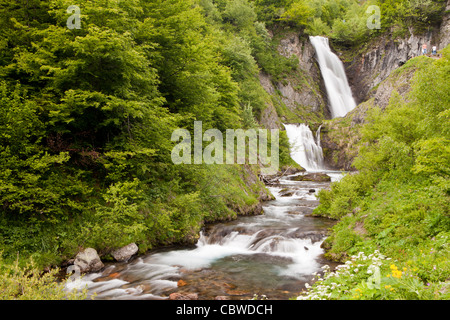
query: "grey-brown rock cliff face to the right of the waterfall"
373, 79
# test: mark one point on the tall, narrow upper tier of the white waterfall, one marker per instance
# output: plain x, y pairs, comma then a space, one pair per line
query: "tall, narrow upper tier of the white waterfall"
333, 72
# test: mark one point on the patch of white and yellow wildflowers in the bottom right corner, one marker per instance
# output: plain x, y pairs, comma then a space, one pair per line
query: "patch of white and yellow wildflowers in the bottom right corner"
374, 277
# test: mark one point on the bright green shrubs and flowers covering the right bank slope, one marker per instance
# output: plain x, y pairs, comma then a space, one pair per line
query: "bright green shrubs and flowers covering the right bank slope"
398, 203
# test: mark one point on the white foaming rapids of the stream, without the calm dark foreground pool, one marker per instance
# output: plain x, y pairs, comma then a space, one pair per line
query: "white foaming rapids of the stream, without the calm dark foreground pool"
152, 276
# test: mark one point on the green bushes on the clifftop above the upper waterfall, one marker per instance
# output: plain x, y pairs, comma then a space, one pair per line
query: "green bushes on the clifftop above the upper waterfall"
345, 21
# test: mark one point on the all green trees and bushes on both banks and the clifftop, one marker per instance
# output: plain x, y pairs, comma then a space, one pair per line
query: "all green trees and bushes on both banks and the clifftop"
87, 114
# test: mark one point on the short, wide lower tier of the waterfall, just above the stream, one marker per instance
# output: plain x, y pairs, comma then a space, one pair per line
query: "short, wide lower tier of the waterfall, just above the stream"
305, 149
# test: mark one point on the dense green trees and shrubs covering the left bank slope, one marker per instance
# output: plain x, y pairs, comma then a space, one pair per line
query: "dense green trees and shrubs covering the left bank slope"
86, 118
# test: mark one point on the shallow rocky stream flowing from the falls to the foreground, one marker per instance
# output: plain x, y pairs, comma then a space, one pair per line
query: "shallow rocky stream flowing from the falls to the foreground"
273, 254
